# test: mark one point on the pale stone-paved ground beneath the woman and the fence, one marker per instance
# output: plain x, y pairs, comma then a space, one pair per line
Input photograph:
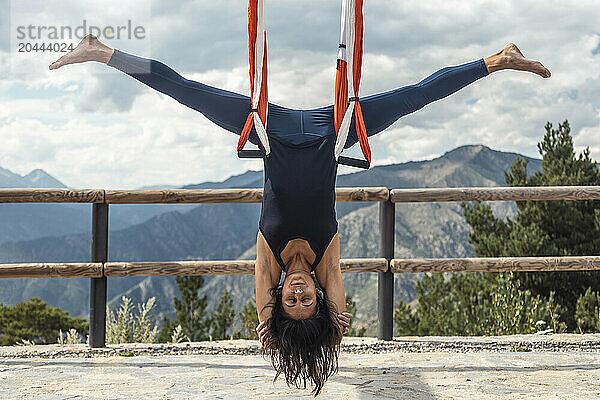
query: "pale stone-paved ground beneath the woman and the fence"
474, 373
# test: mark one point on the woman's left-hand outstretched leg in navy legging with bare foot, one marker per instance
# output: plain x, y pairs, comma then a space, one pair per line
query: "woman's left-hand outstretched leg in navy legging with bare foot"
227, 109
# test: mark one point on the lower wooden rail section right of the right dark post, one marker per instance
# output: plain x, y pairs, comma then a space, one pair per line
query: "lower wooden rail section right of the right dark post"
578, 263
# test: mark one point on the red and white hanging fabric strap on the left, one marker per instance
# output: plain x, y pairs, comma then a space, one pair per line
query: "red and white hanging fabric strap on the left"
257, 49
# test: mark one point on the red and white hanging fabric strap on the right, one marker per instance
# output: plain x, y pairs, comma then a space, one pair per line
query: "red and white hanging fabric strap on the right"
349, 66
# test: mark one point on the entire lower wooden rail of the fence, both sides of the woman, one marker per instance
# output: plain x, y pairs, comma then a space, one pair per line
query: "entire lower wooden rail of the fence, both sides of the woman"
246, 267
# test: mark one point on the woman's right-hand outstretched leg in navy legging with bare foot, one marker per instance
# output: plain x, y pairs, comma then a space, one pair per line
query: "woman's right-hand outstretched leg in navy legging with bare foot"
382, 110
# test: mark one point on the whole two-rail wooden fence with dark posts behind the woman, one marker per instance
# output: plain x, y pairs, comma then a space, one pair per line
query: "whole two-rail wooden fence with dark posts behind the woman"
99, 269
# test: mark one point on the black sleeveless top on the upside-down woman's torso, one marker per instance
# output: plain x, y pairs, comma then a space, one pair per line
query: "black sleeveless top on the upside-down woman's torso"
299, 195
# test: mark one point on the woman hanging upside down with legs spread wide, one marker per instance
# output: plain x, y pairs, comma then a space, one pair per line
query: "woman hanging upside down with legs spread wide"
301, 320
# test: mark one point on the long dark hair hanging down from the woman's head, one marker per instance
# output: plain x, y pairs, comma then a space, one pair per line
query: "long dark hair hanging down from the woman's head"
303, 350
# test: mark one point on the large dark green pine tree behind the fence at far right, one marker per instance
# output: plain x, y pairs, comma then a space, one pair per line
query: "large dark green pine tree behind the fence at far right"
546, 228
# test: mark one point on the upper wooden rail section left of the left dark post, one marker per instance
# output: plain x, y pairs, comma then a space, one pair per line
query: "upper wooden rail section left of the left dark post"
45, 195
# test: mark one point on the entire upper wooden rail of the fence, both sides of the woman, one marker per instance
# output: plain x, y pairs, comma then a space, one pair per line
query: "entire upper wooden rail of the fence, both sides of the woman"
154, 196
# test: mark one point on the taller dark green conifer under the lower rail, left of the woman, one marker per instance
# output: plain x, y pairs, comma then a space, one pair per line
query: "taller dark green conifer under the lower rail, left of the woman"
191, 310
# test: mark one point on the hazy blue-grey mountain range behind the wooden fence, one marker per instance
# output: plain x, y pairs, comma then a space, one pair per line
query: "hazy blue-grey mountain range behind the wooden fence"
61, 233
